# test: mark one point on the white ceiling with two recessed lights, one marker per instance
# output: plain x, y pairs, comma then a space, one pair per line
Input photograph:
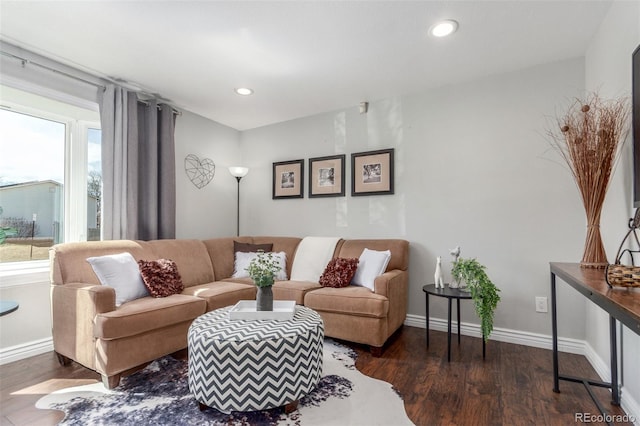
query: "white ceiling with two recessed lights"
300, 58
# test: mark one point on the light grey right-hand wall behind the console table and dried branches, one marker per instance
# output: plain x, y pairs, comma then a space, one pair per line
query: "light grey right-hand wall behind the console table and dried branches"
608, 70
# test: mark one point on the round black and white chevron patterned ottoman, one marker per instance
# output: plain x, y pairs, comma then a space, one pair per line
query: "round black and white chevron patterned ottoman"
249, 365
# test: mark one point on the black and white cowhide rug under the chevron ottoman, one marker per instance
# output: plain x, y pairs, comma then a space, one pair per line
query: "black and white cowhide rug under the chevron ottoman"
159, 395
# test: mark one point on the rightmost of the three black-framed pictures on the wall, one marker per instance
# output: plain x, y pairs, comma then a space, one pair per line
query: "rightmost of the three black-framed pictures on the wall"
372, 173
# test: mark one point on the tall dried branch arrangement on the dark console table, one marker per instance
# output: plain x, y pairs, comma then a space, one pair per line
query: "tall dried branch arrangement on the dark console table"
589, 136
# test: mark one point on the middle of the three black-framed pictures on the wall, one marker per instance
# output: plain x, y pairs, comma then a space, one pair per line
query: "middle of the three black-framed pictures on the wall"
326, 176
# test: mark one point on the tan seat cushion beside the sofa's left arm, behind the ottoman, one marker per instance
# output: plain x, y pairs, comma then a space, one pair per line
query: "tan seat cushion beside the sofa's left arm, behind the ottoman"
146, 314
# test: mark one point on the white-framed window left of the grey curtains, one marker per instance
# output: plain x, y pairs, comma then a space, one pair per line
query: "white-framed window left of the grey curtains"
50, 175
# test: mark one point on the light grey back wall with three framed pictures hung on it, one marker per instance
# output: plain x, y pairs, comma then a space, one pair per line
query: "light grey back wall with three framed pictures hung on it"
473, 168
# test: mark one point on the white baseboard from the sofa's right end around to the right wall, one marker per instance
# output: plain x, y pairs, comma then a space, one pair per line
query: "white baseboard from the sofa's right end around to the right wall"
574, 346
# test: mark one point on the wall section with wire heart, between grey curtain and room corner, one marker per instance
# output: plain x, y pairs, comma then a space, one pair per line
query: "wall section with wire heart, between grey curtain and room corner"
210, 211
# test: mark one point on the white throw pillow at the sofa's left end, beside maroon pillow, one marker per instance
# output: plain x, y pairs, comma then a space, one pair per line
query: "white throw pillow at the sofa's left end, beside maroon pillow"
121, 272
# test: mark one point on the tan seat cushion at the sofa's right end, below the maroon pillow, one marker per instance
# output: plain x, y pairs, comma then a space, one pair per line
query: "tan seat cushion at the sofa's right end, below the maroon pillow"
350, 300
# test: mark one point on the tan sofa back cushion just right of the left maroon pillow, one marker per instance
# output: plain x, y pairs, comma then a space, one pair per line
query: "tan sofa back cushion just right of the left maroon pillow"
191, 258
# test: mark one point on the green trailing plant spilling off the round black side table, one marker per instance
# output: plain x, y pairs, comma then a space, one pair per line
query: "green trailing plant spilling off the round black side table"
483, 291
